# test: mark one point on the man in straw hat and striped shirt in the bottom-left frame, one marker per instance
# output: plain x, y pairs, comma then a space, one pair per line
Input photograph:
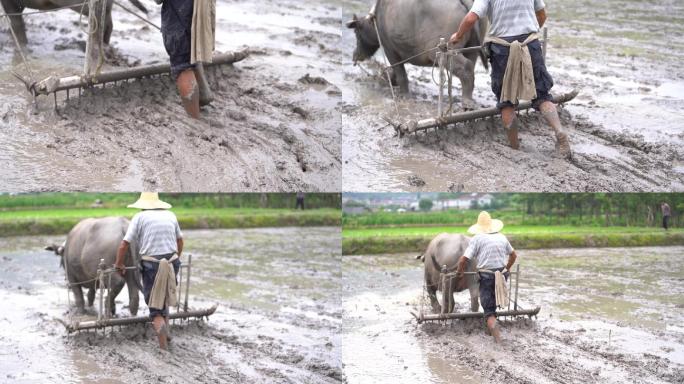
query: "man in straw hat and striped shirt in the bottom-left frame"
159, 241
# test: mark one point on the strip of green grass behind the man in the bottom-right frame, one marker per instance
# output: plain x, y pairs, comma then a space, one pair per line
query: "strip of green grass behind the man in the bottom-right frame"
416, 239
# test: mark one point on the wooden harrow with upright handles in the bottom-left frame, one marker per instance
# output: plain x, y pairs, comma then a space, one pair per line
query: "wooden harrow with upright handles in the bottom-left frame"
104, 319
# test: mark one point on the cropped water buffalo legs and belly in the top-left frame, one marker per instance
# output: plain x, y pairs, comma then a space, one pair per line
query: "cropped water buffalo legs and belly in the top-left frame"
18, 6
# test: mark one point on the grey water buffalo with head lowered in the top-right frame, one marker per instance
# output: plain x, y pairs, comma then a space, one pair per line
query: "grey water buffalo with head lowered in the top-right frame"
407, 28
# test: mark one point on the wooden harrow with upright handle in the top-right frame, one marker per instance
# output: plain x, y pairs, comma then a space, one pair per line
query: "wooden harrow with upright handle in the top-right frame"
447, 117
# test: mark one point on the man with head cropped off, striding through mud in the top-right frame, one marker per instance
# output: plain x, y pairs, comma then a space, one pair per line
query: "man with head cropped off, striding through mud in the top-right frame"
522, 74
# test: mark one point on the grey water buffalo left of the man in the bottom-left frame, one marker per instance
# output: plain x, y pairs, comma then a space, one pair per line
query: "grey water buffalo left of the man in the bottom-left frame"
88, 242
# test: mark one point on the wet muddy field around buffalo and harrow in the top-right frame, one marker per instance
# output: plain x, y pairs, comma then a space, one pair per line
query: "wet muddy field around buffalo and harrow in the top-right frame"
625, 126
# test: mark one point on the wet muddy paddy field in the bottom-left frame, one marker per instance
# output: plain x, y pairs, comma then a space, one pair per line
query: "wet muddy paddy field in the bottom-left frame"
278, 318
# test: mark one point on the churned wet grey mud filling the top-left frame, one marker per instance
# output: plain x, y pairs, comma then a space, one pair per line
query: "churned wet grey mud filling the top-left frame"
265, 131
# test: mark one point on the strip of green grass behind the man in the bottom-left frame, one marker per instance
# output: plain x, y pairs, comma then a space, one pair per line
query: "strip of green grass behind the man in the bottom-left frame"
60, 221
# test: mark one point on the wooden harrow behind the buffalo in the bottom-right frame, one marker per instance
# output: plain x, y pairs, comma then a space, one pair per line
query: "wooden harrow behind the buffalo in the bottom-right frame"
447, 297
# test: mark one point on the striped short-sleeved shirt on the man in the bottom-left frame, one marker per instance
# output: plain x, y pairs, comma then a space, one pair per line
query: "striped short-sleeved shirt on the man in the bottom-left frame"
155, 232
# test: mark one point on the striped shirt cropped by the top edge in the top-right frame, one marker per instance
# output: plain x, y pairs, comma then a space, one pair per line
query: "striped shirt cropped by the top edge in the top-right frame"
509, 18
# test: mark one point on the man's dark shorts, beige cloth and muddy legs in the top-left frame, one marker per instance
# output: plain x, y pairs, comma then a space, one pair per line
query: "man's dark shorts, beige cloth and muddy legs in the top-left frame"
188, 42
